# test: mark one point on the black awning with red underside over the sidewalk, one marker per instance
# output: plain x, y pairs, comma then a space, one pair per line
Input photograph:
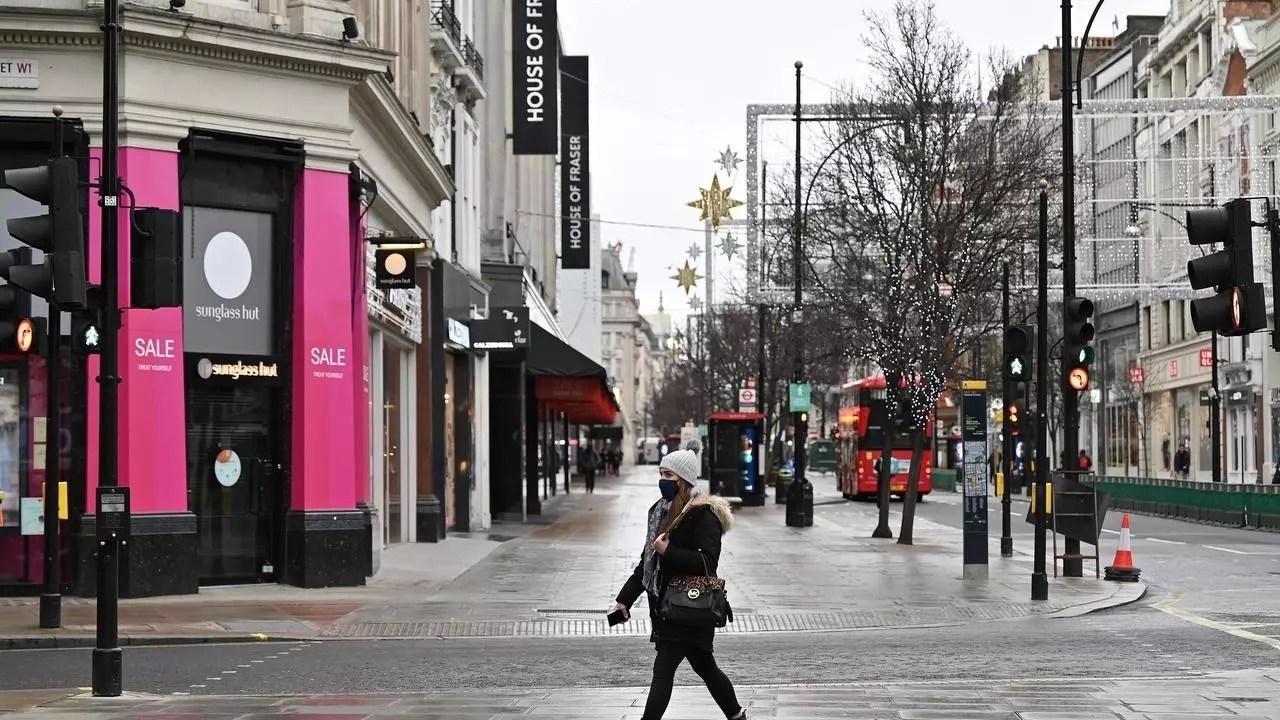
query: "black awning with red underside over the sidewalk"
570, 382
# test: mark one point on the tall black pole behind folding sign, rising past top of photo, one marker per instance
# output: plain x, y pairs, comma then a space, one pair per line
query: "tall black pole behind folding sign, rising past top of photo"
1072, 566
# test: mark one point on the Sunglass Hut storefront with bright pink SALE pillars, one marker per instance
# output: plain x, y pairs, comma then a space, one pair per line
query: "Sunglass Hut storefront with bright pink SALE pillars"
239, 412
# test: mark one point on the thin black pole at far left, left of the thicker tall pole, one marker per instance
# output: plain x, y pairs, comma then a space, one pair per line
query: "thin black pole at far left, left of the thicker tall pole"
52, 598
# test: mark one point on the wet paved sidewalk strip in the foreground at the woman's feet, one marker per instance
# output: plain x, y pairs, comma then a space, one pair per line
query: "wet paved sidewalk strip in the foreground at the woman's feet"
1244, 695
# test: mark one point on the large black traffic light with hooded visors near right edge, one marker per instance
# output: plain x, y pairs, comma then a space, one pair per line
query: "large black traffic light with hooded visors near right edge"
1237, 307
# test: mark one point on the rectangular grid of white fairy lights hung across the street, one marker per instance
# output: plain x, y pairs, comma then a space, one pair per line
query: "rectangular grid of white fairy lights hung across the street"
1141, 165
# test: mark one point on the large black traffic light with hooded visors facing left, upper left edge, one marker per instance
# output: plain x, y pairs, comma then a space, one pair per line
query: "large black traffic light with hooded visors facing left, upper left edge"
60, 234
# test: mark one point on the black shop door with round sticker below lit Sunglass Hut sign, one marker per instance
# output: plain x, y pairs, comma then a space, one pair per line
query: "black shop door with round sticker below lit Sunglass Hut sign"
236, 482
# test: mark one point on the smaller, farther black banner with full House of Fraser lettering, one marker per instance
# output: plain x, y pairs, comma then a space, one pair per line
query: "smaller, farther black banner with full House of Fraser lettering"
575, 166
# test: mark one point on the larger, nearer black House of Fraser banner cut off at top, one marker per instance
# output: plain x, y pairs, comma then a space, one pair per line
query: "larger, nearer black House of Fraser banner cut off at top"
536, 53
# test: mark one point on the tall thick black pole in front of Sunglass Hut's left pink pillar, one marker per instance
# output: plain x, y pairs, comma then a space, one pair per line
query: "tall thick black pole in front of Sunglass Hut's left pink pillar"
108, 657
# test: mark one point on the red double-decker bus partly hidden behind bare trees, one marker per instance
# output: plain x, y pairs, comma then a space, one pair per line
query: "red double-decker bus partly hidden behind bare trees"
862, 436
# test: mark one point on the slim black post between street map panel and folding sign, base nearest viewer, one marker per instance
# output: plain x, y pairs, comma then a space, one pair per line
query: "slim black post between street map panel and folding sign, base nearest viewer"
1040, 577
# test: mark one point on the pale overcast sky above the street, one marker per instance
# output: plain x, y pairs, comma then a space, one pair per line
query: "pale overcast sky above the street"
671, 81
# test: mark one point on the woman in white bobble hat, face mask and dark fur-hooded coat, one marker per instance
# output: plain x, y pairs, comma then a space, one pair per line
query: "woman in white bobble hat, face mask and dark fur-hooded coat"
684, 539
